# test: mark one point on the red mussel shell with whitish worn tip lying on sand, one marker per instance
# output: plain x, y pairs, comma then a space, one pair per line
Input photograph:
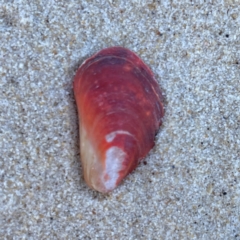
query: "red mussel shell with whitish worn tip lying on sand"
120, 108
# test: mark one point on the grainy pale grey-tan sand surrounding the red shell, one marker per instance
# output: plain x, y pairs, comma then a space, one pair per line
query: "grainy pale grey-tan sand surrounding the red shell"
188, 187
